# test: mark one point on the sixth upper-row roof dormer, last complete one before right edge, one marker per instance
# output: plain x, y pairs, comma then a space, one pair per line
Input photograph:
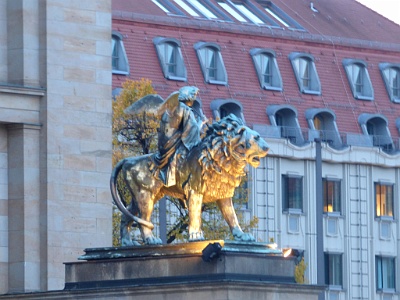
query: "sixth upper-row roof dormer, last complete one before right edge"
359, 80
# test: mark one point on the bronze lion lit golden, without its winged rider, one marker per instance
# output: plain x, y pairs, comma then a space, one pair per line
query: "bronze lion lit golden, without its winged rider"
208, 172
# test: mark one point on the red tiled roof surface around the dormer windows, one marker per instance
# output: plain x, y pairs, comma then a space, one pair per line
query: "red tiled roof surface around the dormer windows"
359, 33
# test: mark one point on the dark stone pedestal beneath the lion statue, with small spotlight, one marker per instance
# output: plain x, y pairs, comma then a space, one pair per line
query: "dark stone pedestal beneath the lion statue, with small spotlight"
185, 271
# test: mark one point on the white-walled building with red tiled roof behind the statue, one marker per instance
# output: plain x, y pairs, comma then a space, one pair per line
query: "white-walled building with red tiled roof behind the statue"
317, 80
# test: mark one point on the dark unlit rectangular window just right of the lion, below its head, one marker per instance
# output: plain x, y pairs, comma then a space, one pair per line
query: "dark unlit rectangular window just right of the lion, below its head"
292, 192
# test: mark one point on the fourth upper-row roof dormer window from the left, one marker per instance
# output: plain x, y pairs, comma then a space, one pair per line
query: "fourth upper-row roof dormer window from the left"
267, 69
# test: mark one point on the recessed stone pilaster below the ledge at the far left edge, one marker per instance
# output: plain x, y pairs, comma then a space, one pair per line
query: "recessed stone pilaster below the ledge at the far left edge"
23, 208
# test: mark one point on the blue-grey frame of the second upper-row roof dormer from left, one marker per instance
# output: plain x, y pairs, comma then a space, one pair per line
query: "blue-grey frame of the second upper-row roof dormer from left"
180, 73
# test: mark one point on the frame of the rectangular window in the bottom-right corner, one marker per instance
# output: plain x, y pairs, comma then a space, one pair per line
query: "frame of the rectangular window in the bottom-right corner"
382, 286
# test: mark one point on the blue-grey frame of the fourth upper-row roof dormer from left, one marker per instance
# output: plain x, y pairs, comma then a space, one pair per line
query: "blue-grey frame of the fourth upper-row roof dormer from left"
276, 78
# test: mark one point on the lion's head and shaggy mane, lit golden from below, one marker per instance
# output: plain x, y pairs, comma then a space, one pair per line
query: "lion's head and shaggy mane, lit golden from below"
228, 147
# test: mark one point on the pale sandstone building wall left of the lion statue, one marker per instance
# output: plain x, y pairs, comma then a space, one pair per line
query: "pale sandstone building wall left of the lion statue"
55, 138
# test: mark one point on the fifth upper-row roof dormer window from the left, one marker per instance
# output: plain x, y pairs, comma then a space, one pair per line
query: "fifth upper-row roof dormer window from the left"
306, 73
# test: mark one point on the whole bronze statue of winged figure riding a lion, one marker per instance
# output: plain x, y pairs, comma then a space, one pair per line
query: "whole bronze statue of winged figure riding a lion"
186, 166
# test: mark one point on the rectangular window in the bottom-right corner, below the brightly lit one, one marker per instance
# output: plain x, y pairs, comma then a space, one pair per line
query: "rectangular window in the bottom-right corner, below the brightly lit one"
385, 273
